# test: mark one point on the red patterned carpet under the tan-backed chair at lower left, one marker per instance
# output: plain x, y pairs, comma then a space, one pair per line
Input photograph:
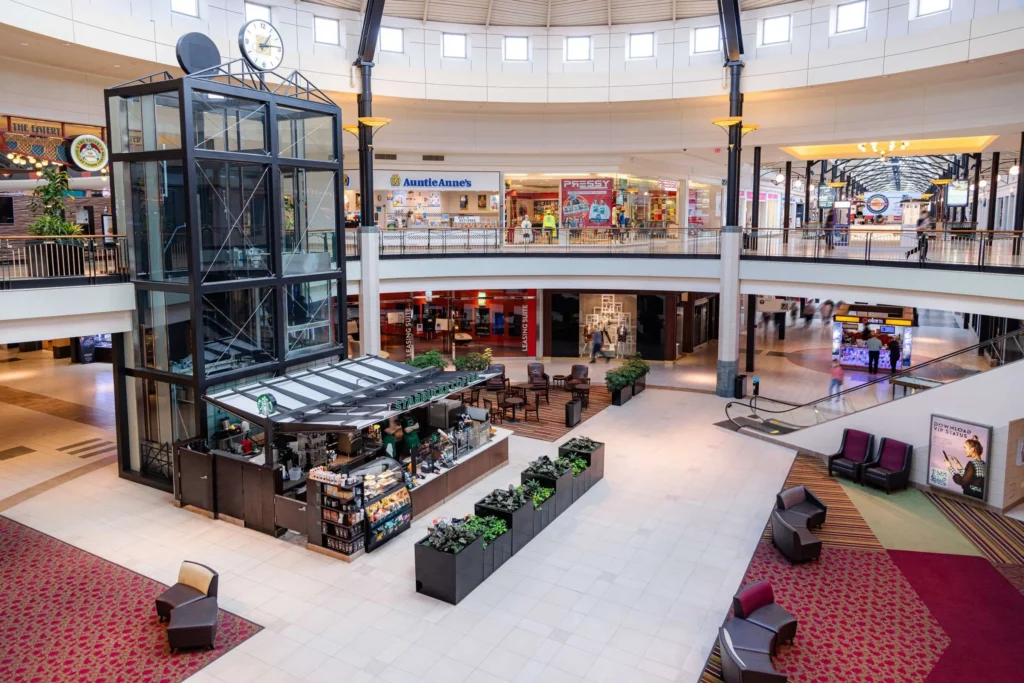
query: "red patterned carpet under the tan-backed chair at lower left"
69, 616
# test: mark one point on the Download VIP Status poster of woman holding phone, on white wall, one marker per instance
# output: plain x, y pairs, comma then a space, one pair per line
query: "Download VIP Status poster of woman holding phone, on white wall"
958, 457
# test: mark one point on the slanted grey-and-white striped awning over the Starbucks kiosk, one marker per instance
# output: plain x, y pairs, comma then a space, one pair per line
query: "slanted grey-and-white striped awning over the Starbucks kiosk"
342, 397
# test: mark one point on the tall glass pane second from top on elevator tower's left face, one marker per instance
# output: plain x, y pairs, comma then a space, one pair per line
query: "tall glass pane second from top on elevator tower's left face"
152, 206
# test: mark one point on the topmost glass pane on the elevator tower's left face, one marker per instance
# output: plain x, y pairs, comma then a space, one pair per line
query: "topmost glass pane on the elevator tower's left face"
145, 123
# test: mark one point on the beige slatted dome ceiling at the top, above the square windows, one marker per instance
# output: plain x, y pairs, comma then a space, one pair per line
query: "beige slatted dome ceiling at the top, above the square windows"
548, 13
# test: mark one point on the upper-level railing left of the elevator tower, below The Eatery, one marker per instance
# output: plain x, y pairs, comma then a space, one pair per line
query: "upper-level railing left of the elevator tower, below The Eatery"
35, 262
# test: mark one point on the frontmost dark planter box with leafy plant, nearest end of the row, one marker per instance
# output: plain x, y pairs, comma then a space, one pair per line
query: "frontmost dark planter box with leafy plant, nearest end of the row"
450, 563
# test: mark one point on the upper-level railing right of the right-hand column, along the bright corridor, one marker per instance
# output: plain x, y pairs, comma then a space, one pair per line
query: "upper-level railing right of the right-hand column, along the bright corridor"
958, 248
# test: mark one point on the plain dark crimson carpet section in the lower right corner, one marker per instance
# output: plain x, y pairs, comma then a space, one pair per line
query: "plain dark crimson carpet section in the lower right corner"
982, 612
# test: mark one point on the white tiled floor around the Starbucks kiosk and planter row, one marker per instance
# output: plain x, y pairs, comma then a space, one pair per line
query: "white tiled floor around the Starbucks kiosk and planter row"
630, 585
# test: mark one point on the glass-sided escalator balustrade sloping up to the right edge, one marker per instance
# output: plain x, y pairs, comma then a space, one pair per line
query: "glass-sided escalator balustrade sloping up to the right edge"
773, 416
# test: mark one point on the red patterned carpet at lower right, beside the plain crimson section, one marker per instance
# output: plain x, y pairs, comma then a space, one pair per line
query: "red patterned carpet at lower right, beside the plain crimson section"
861, 621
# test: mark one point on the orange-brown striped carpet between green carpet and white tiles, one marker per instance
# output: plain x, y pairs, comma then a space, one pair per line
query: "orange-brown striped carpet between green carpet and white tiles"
844, 527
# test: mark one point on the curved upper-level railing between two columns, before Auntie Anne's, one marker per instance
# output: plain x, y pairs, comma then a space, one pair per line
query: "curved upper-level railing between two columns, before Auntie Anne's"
539, 242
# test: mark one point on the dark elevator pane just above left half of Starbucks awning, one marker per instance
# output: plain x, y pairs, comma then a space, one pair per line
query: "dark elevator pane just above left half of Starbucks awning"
238, 329
